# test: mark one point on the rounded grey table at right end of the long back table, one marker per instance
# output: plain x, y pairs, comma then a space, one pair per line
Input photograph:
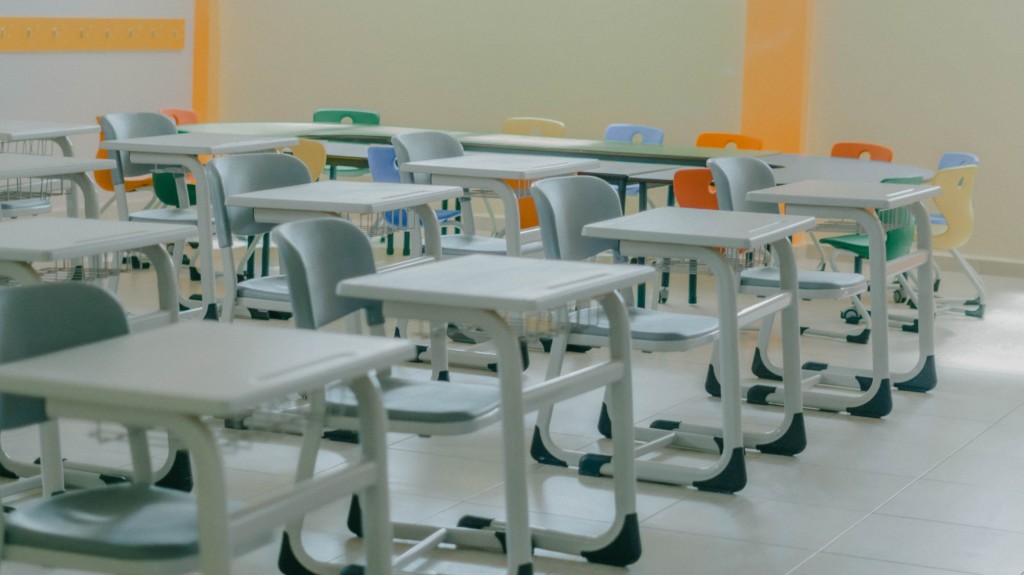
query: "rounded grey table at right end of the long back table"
790, 168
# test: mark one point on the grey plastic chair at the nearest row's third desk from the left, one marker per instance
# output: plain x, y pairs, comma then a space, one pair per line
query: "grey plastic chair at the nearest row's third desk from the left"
565, 206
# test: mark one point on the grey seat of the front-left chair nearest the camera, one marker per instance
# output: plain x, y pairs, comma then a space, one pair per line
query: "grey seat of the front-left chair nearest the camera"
123, 521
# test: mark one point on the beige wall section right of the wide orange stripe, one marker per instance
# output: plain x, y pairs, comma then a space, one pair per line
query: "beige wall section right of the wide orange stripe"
926, 77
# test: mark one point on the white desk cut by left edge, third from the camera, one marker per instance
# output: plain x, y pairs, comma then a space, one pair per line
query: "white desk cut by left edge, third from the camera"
15, 166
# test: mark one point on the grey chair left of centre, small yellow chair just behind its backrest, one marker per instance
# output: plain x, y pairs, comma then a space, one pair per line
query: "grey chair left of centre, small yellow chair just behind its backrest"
241, 174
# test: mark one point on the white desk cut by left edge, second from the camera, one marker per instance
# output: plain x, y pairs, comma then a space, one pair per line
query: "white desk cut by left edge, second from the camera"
53, 240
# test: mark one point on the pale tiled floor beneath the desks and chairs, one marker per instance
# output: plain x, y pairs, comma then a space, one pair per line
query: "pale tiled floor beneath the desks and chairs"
936, 488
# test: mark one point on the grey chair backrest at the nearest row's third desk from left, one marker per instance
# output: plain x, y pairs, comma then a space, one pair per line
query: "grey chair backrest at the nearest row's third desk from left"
568, 204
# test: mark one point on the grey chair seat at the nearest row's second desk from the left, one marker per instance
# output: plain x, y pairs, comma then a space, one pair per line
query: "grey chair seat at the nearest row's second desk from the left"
423, 402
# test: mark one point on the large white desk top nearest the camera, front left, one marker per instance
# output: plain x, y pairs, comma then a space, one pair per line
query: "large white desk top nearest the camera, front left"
243, 367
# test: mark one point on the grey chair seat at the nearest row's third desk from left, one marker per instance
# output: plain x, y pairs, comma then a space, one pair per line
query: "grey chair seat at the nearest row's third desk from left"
647, 325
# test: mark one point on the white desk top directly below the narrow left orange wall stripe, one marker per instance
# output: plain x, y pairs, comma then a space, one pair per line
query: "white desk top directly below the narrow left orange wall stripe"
197, 144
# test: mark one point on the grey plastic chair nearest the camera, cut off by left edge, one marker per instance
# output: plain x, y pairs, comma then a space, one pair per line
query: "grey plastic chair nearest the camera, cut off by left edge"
104, 529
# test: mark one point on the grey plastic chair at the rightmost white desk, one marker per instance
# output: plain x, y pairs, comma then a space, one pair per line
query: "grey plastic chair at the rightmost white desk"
735, 178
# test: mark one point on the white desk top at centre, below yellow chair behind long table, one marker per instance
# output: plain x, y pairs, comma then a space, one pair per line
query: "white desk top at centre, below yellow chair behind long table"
502, 166
